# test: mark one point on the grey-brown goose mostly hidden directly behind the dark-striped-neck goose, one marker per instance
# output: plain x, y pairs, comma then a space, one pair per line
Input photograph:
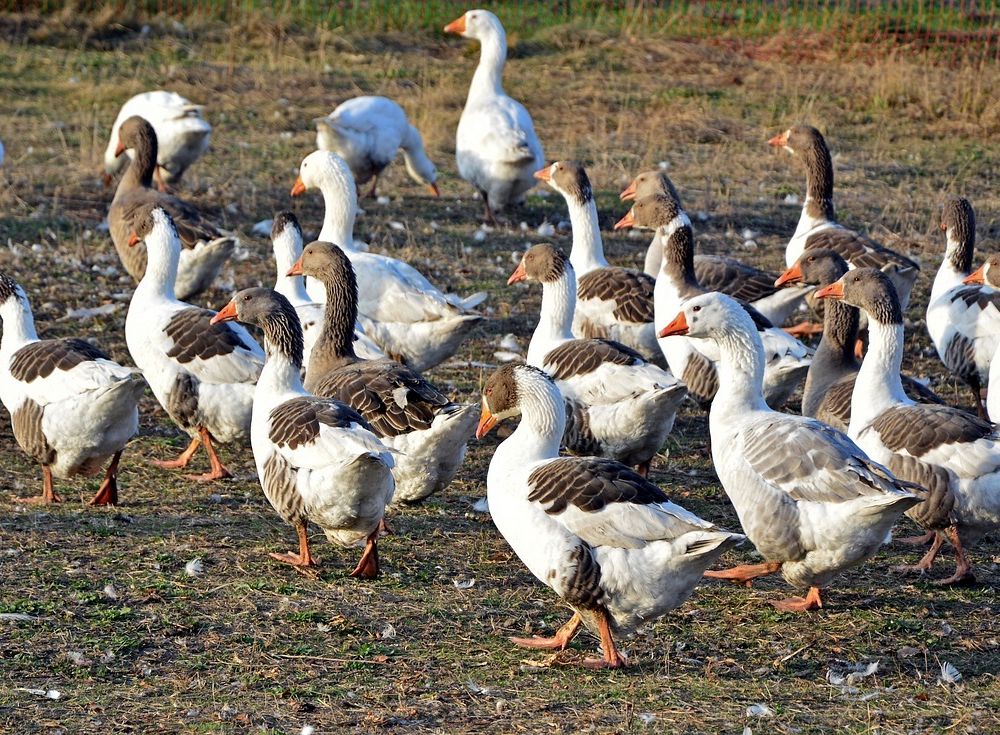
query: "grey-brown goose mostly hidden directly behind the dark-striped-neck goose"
725, 274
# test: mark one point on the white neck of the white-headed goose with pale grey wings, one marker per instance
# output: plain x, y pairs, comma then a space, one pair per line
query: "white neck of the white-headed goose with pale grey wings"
741, 372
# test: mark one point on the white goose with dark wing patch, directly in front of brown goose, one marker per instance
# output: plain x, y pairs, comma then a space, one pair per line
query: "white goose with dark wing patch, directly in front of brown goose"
202, 374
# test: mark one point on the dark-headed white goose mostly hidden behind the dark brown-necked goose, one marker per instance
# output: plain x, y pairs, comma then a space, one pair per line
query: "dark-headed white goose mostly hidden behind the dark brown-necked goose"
286, 240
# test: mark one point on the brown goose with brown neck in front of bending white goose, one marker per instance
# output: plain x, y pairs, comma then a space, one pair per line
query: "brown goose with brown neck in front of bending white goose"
205, 248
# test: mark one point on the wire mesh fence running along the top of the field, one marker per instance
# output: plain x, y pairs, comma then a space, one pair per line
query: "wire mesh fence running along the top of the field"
969, 26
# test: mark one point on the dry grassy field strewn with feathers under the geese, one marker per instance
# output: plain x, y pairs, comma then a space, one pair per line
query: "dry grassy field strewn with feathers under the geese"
133, 641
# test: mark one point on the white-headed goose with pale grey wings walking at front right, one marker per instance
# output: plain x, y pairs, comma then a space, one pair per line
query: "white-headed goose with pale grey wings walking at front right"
808, 497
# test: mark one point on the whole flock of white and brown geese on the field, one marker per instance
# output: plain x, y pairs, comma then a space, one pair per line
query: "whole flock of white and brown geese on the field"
342, 423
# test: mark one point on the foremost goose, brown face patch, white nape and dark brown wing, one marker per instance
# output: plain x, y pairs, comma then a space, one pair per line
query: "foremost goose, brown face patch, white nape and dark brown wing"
603, 538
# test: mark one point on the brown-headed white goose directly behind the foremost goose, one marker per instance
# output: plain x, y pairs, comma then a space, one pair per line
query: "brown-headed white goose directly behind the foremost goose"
618, 405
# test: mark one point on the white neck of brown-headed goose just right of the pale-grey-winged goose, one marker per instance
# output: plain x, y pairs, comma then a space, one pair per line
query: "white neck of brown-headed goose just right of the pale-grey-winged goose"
878, 385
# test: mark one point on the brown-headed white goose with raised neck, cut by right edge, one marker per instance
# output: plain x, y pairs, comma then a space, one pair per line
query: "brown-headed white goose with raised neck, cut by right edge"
963, 313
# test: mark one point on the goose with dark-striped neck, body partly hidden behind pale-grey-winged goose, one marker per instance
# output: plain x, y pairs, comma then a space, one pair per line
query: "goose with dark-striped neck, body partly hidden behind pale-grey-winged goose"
695, 361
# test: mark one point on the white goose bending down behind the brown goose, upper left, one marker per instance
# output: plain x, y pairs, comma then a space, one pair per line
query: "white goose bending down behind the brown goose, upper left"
182, 132
